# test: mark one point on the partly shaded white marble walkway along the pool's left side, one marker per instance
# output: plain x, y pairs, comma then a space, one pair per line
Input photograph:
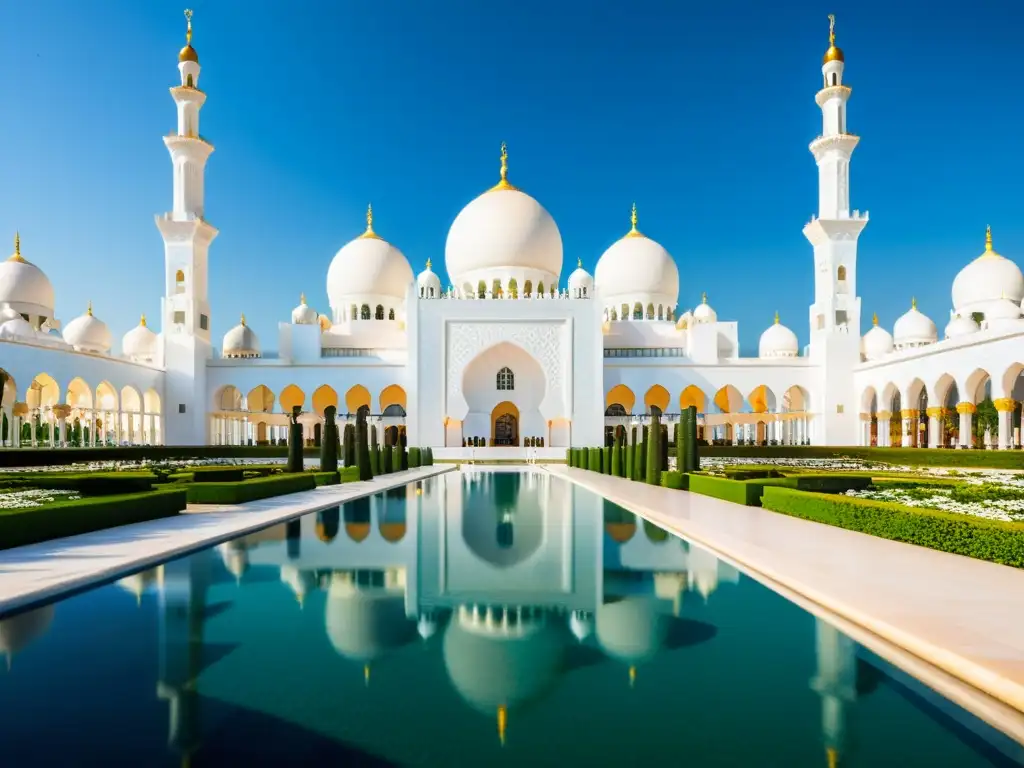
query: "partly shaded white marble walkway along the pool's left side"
49, 571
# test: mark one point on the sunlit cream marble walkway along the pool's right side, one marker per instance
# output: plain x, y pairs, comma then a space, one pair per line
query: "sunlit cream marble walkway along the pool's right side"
964, 616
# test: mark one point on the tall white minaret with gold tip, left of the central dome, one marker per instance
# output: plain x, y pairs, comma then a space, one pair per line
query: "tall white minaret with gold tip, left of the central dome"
187, 243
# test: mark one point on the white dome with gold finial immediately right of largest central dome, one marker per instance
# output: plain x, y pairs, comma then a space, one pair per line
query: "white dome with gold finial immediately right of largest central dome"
637, 269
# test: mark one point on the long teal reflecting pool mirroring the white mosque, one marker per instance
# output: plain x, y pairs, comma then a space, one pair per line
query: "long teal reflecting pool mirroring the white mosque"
474, 620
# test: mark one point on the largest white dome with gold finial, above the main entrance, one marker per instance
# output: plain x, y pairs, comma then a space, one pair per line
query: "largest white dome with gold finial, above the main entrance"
504, 230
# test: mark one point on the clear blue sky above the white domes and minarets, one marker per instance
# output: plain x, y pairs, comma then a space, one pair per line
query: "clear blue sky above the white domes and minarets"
701, 113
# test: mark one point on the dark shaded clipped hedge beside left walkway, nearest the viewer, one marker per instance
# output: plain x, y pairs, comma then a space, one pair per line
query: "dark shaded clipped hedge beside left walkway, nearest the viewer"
19, 528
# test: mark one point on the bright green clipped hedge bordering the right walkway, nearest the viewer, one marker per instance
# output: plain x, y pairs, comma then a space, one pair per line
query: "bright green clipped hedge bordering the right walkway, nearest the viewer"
962, 535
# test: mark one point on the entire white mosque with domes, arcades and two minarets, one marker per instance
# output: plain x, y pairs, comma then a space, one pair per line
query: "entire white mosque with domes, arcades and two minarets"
511, 358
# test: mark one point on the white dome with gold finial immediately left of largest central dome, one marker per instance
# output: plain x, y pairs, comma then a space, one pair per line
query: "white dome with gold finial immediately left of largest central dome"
368, 267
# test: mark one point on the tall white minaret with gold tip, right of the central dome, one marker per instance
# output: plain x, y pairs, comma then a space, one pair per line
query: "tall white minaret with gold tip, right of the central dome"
835, 316
